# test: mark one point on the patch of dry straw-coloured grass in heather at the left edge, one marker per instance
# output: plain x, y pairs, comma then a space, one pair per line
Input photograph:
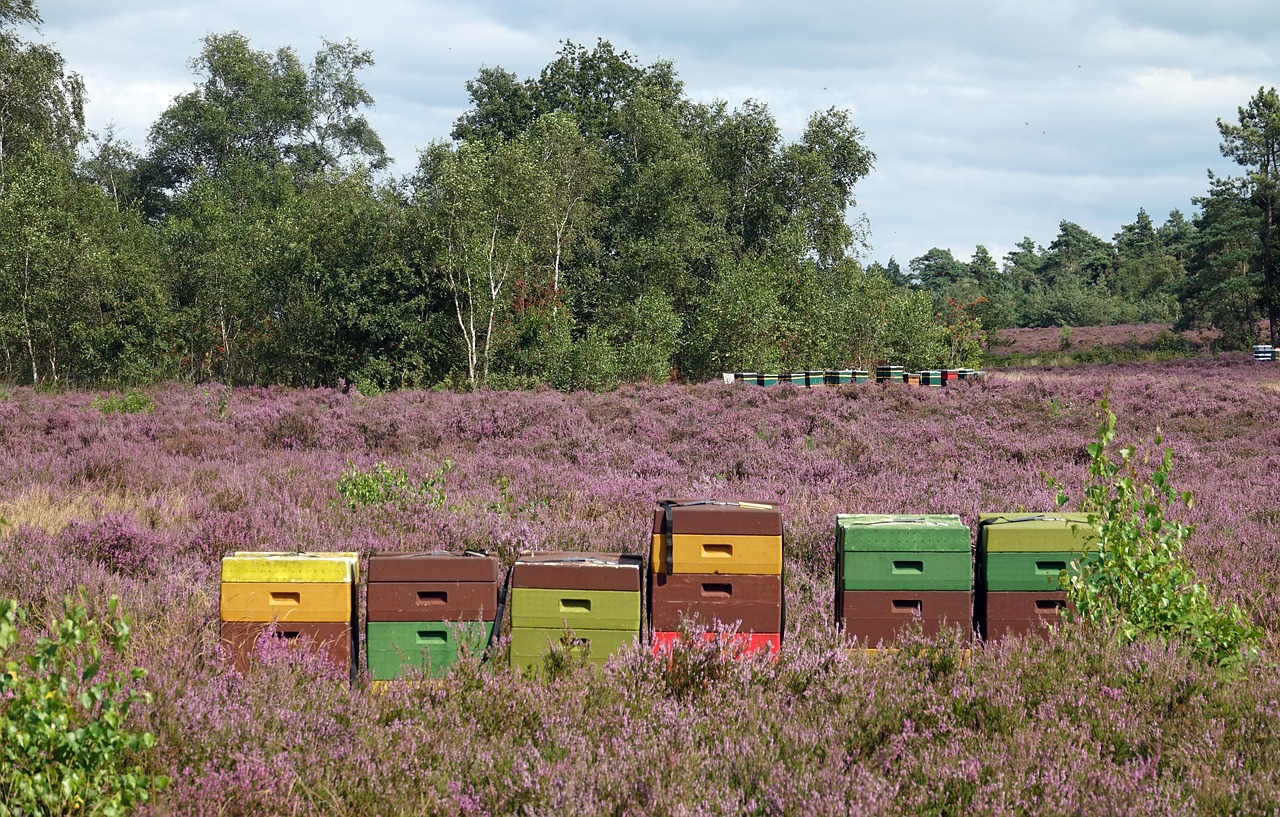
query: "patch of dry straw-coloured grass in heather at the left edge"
52, 510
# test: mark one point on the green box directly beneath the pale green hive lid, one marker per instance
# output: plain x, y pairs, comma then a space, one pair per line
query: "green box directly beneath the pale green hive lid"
920, 570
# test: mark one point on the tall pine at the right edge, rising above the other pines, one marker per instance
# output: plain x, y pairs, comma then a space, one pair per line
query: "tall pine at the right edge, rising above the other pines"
1255, 145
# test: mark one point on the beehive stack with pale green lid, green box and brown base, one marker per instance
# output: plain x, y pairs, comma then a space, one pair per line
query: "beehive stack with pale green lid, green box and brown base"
894, 570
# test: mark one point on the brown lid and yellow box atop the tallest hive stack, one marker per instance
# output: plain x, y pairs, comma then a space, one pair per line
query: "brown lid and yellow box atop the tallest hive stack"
739, 537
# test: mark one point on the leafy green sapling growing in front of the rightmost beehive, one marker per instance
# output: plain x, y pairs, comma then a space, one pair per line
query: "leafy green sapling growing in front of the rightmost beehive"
1142, 587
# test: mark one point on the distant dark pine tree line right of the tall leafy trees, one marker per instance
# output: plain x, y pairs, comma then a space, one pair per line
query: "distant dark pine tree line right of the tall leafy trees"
1215, 271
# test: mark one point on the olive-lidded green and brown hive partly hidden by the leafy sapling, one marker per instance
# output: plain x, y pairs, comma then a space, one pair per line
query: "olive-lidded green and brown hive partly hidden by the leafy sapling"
1021, 563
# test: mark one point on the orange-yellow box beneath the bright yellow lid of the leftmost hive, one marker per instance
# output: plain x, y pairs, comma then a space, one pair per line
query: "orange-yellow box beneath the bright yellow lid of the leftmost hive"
287, 601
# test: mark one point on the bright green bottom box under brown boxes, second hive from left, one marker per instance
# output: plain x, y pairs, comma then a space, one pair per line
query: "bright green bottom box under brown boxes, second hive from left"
397, 649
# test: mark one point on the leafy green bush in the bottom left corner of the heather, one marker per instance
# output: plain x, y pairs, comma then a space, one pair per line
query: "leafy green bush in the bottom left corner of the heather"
66, 745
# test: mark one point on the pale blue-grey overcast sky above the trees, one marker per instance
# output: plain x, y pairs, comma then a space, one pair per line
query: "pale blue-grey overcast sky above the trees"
990, 120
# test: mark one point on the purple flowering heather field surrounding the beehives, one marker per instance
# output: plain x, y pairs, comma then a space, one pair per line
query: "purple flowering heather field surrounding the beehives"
145, 505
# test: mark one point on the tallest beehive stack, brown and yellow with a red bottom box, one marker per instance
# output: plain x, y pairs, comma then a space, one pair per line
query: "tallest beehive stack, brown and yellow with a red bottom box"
717, 564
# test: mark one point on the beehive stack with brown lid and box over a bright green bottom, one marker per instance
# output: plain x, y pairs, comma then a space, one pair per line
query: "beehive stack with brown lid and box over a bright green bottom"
426, 610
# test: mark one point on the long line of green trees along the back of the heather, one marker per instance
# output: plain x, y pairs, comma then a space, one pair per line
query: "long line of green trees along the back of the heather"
580, 229
